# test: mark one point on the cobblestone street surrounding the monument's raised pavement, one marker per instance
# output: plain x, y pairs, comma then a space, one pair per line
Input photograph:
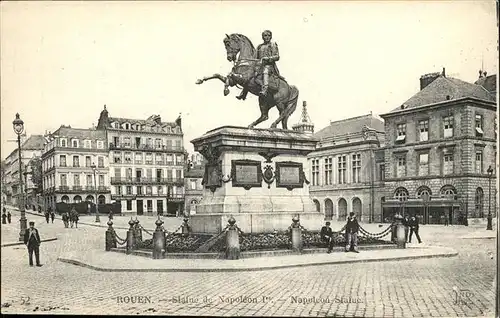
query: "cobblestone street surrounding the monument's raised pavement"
397, 288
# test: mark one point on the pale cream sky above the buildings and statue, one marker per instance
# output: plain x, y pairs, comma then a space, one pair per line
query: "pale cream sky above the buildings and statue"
62, 61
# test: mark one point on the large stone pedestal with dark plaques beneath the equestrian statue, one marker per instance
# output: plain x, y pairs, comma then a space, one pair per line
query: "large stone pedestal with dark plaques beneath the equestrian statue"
258, 176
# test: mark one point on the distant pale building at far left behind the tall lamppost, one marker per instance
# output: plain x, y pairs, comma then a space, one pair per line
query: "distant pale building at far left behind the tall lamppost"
30, 148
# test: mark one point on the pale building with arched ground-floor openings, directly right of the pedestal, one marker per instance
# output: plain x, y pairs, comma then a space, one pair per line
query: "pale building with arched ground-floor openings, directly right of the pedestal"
346, 169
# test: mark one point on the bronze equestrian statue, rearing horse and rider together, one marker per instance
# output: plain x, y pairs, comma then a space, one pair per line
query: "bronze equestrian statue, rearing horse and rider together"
256, 72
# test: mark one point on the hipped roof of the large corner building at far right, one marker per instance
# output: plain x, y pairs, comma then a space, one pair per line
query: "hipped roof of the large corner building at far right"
443, 89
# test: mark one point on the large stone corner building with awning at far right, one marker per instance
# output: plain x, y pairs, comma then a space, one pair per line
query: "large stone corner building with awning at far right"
440, 144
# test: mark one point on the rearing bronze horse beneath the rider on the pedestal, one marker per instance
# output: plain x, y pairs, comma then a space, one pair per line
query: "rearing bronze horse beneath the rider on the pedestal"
245, 73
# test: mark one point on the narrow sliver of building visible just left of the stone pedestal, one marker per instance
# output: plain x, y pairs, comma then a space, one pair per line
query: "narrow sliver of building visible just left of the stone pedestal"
193, 177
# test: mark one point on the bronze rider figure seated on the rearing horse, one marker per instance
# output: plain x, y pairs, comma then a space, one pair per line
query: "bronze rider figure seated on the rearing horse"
268, 54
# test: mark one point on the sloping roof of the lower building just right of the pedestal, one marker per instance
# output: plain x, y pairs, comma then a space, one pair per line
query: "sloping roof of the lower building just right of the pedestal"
350, 125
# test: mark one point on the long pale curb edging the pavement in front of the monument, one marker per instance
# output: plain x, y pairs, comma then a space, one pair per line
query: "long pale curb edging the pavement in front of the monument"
250, 269
